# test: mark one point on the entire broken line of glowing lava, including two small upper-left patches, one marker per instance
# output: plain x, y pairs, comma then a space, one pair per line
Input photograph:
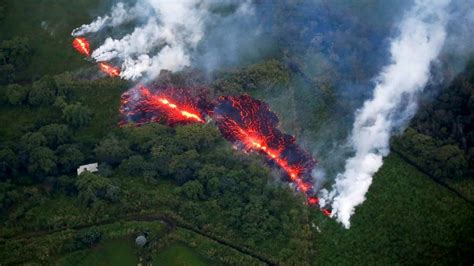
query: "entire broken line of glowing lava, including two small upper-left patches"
244, 121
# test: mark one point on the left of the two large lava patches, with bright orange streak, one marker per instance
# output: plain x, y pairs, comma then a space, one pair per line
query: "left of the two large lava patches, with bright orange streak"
170, 106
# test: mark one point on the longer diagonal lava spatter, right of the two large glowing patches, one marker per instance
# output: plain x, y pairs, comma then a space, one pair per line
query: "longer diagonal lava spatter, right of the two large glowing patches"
251, 125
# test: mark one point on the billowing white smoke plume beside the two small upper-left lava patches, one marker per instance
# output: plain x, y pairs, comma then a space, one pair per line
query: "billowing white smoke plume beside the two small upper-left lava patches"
166, 36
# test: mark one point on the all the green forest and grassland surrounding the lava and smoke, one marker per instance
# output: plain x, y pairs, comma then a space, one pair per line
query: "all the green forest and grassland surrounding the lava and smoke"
198, 200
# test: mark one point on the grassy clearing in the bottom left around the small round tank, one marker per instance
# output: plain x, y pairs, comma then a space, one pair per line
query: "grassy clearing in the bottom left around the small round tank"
117, 241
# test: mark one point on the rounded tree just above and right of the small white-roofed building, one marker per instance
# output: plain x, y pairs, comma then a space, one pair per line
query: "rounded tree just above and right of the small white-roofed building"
112, 151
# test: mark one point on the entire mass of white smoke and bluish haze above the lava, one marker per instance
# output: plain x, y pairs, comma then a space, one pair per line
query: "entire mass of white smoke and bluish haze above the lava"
374, 58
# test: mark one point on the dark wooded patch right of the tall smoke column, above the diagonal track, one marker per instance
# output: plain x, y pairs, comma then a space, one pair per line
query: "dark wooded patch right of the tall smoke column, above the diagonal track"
440, 139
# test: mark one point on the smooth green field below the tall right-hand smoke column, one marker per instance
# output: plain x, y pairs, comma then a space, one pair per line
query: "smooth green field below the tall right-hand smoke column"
407, 218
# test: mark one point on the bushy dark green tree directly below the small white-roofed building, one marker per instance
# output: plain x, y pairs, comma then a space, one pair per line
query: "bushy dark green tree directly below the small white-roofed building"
92, 188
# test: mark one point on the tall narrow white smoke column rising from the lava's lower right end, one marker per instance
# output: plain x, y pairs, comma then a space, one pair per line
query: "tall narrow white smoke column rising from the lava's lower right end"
421, 38
